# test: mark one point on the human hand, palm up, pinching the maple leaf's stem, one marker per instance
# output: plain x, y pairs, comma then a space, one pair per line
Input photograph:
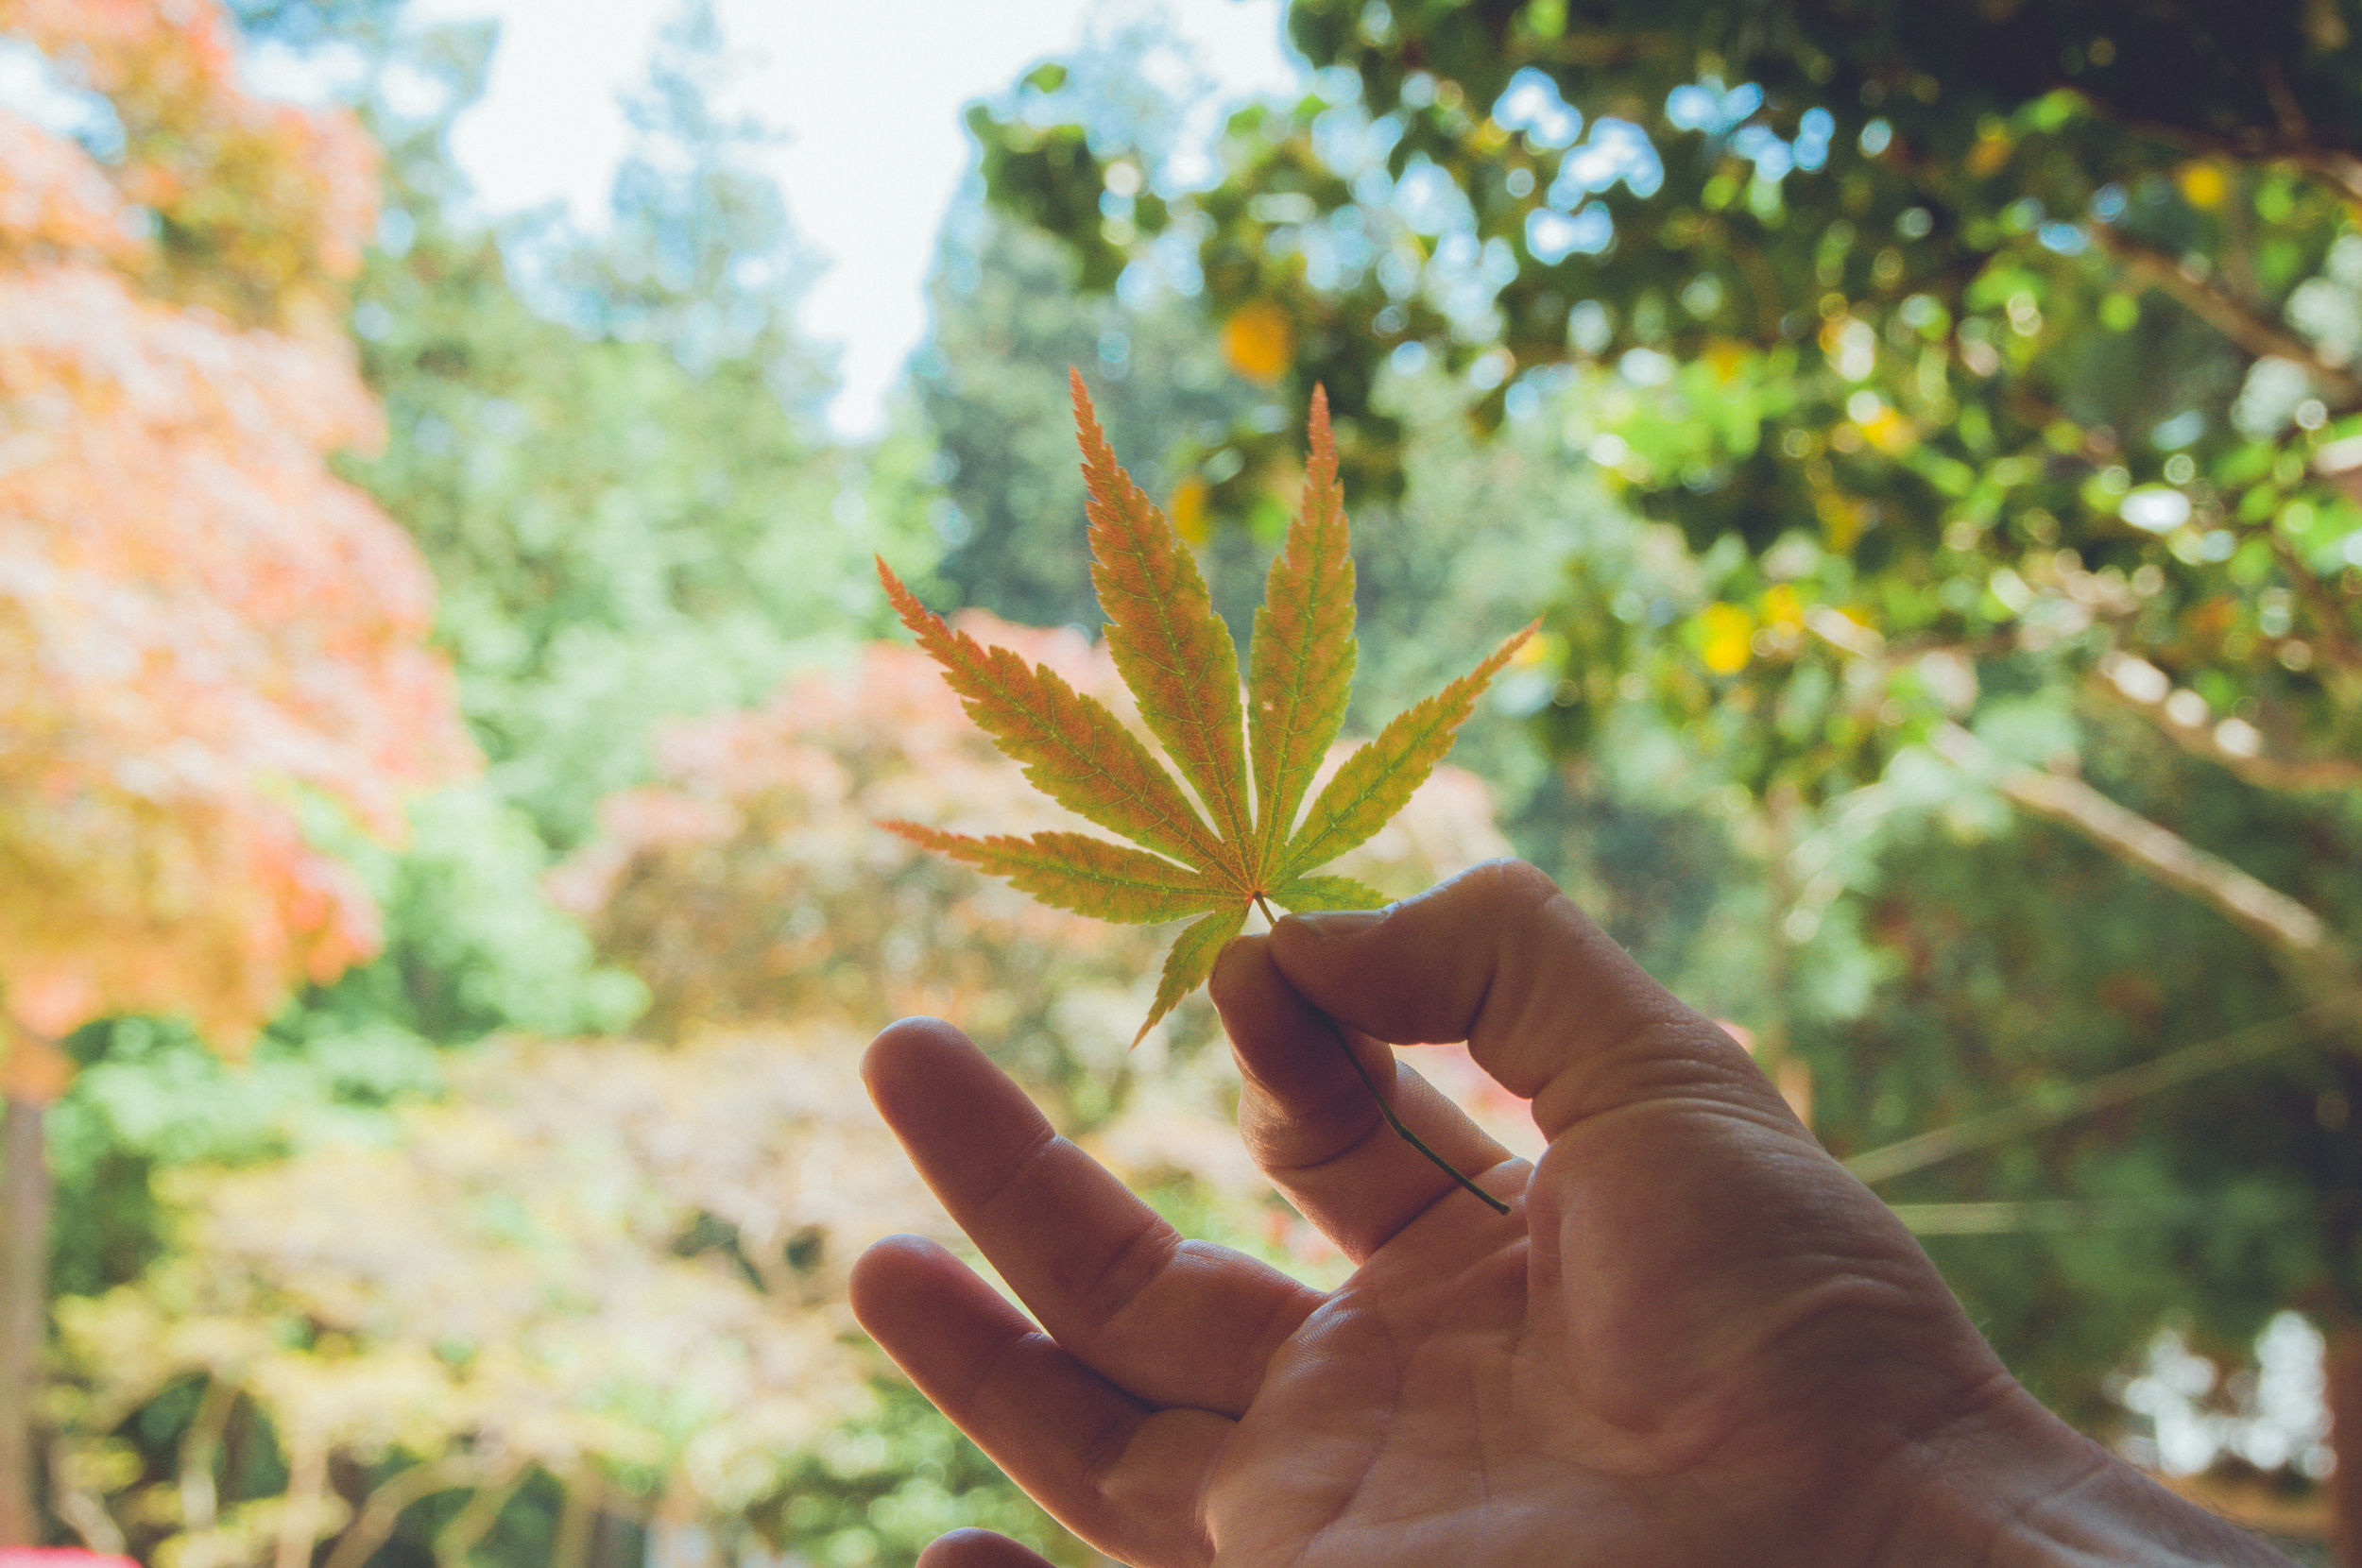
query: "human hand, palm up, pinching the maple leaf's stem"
1692, 1340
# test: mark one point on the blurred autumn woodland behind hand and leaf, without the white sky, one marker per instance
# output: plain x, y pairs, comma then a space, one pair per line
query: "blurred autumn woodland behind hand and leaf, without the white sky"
1933, 440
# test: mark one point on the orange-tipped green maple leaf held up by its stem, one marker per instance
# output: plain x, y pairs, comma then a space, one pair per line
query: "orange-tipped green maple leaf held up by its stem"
1232, 830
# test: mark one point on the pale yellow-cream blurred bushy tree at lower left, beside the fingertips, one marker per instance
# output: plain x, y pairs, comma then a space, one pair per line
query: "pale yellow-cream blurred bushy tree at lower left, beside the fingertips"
530, 1286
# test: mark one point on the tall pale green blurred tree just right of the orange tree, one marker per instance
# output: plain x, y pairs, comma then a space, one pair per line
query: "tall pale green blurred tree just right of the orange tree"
608, 445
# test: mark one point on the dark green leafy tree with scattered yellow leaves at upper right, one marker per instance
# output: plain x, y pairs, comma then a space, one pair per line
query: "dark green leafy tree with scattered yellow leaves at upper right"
1990, 362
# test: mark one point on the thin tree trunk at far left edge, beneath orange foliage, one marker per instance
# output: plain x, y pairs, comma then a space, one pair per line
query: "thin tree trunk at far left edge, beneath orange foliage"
25, 1293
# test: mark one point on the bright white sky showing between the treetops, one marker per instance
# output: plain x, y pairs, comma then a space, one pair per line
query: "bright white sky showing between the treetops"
870, 96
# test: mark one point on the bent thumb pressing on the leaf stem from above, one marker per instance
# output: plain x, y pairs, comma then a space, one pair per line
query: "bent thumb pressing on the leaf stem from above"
1544, 998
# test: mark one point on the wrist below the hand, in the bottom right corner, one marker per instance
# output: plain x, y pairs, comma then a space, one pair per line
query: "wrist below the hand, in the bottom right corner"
2018, 1489
